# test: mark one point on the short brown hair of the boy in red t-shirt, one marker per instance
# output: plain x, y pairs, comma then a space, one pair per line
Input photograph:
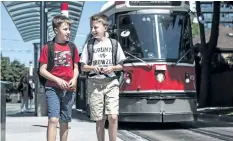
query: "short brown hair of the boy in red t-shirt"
58, 20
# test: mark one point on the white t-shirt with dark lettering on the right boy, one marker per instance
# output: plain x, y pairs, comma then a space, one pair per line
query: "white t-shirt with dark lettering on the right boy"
102, 56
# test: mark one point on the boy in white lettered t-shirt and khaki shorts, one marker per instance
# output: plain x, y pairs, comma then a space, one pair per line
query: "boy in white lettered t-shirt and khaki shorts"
102, 86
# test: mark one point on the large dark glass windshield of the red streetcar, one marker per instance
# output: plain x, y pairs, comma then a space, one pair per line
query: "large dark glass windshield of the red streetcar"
155, 36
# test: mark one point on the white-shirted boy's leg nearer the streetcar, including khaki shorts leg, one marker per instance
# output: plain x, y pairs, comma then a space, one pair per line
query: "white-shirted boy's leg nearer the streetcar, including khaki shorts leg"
112, 108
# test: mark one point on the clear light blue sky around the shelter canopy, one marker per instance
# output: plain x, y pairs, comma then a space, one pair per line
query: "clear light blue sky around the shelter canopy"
11, 39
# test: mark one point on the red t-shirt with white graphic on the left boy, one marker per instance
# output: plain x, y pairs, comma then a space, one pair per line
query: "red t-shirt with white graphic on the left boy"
63, 63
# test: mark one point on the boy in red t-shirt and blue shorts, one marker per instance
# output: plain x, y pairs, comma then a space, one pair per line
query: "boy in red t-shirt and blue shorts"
61, 80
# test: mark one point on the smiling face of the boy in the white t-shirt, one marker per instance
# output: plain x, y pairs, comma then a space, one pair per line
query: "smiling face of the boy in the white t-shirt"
98, 29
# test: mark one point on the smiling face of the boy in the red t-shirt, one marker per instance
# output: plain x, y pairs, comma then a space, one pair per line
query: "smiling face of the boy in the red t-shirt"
63, 32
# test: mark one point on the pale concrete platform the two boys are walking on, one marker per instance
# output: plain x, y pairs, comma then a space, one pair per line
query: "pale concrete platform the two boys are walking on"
27, 127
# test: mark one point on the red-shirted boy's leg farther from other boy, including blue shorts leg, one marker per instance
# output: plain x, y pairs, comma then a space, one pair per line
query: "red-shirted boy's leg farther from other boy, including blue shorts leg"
53, 112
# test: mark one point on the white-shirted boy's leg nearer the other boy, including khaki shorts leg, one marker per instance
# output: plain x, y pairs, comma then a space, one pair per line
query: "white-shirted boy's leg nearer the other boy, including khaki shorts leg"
96, 101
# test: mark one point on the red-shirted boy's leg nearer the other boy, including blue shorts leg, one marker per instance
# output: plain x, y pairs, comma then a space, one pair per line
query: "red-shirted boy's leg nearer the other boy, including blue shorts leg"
67, 101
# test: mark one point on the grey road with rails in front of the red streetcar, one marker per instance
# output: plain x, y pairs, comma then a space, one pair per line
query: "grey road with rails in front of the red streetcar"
191, 132
